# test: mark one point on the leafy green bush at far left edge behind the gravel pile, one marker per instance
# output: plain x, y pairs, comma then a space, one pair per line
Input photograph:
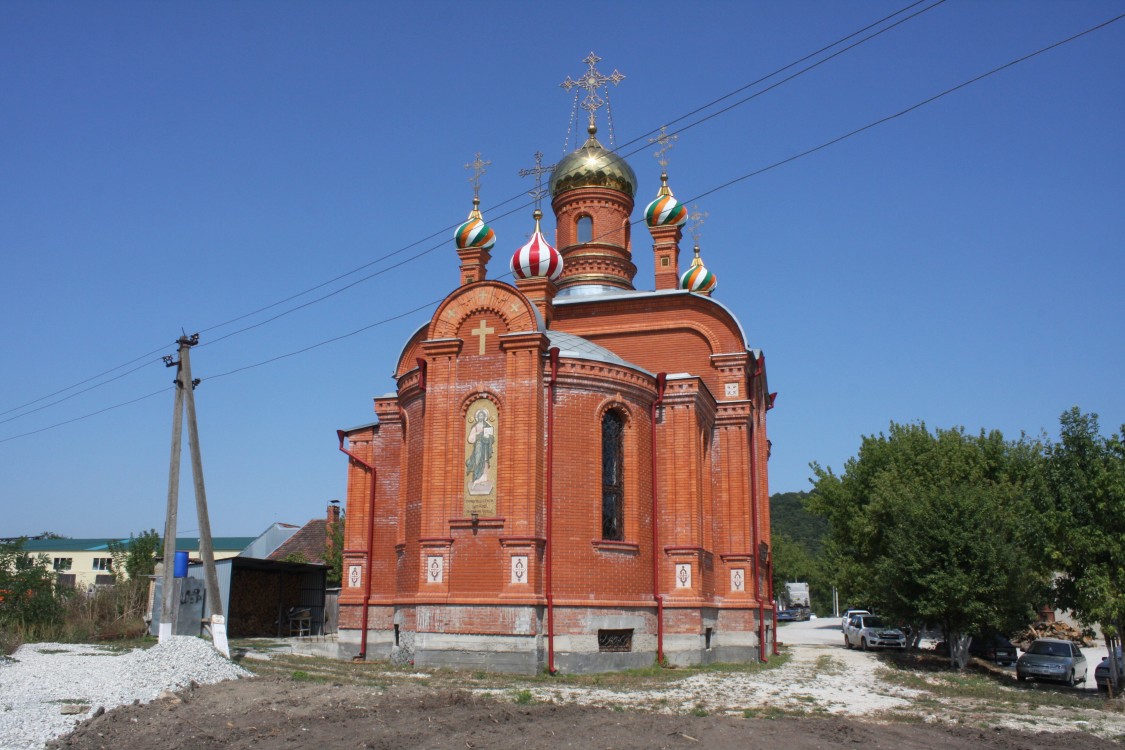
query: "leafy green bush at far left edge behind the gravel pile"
29, 595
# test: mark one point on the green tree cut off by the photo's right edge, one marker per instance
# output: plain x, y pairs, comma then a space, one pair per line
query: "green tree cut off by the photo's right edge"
1086, 491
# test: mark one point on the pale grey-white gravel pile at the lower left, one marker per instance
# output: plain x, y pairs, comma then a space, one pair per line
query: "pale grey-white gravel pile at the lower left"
47, 689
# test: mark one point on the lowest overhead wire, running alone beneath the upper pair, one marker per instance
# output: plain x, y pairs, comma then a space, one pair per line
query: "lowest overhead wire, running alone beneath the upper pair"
707, 193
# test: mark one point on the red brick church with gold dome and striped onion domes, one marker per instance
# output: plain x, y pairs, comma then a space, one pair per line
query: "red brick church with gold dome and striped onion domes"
571, 474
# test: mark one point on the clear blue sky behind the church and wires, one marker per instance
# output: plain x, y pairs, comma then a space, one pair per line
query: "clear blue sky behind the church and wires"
177, 166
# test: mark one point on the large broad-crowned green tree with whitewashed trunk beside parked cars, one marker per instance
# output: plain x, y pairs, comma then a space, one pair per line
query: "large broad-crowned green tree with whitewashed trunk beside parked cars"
938, 529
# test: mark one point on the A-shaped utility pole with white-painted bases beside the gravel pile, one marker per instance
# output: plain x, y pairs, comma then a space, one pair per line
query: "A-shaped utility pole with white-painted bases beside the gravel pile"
186, 400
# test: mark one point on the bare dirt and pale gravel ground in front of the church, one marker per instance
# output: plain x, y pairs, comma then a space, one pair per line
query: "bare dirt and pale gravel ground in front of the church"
823, 698
